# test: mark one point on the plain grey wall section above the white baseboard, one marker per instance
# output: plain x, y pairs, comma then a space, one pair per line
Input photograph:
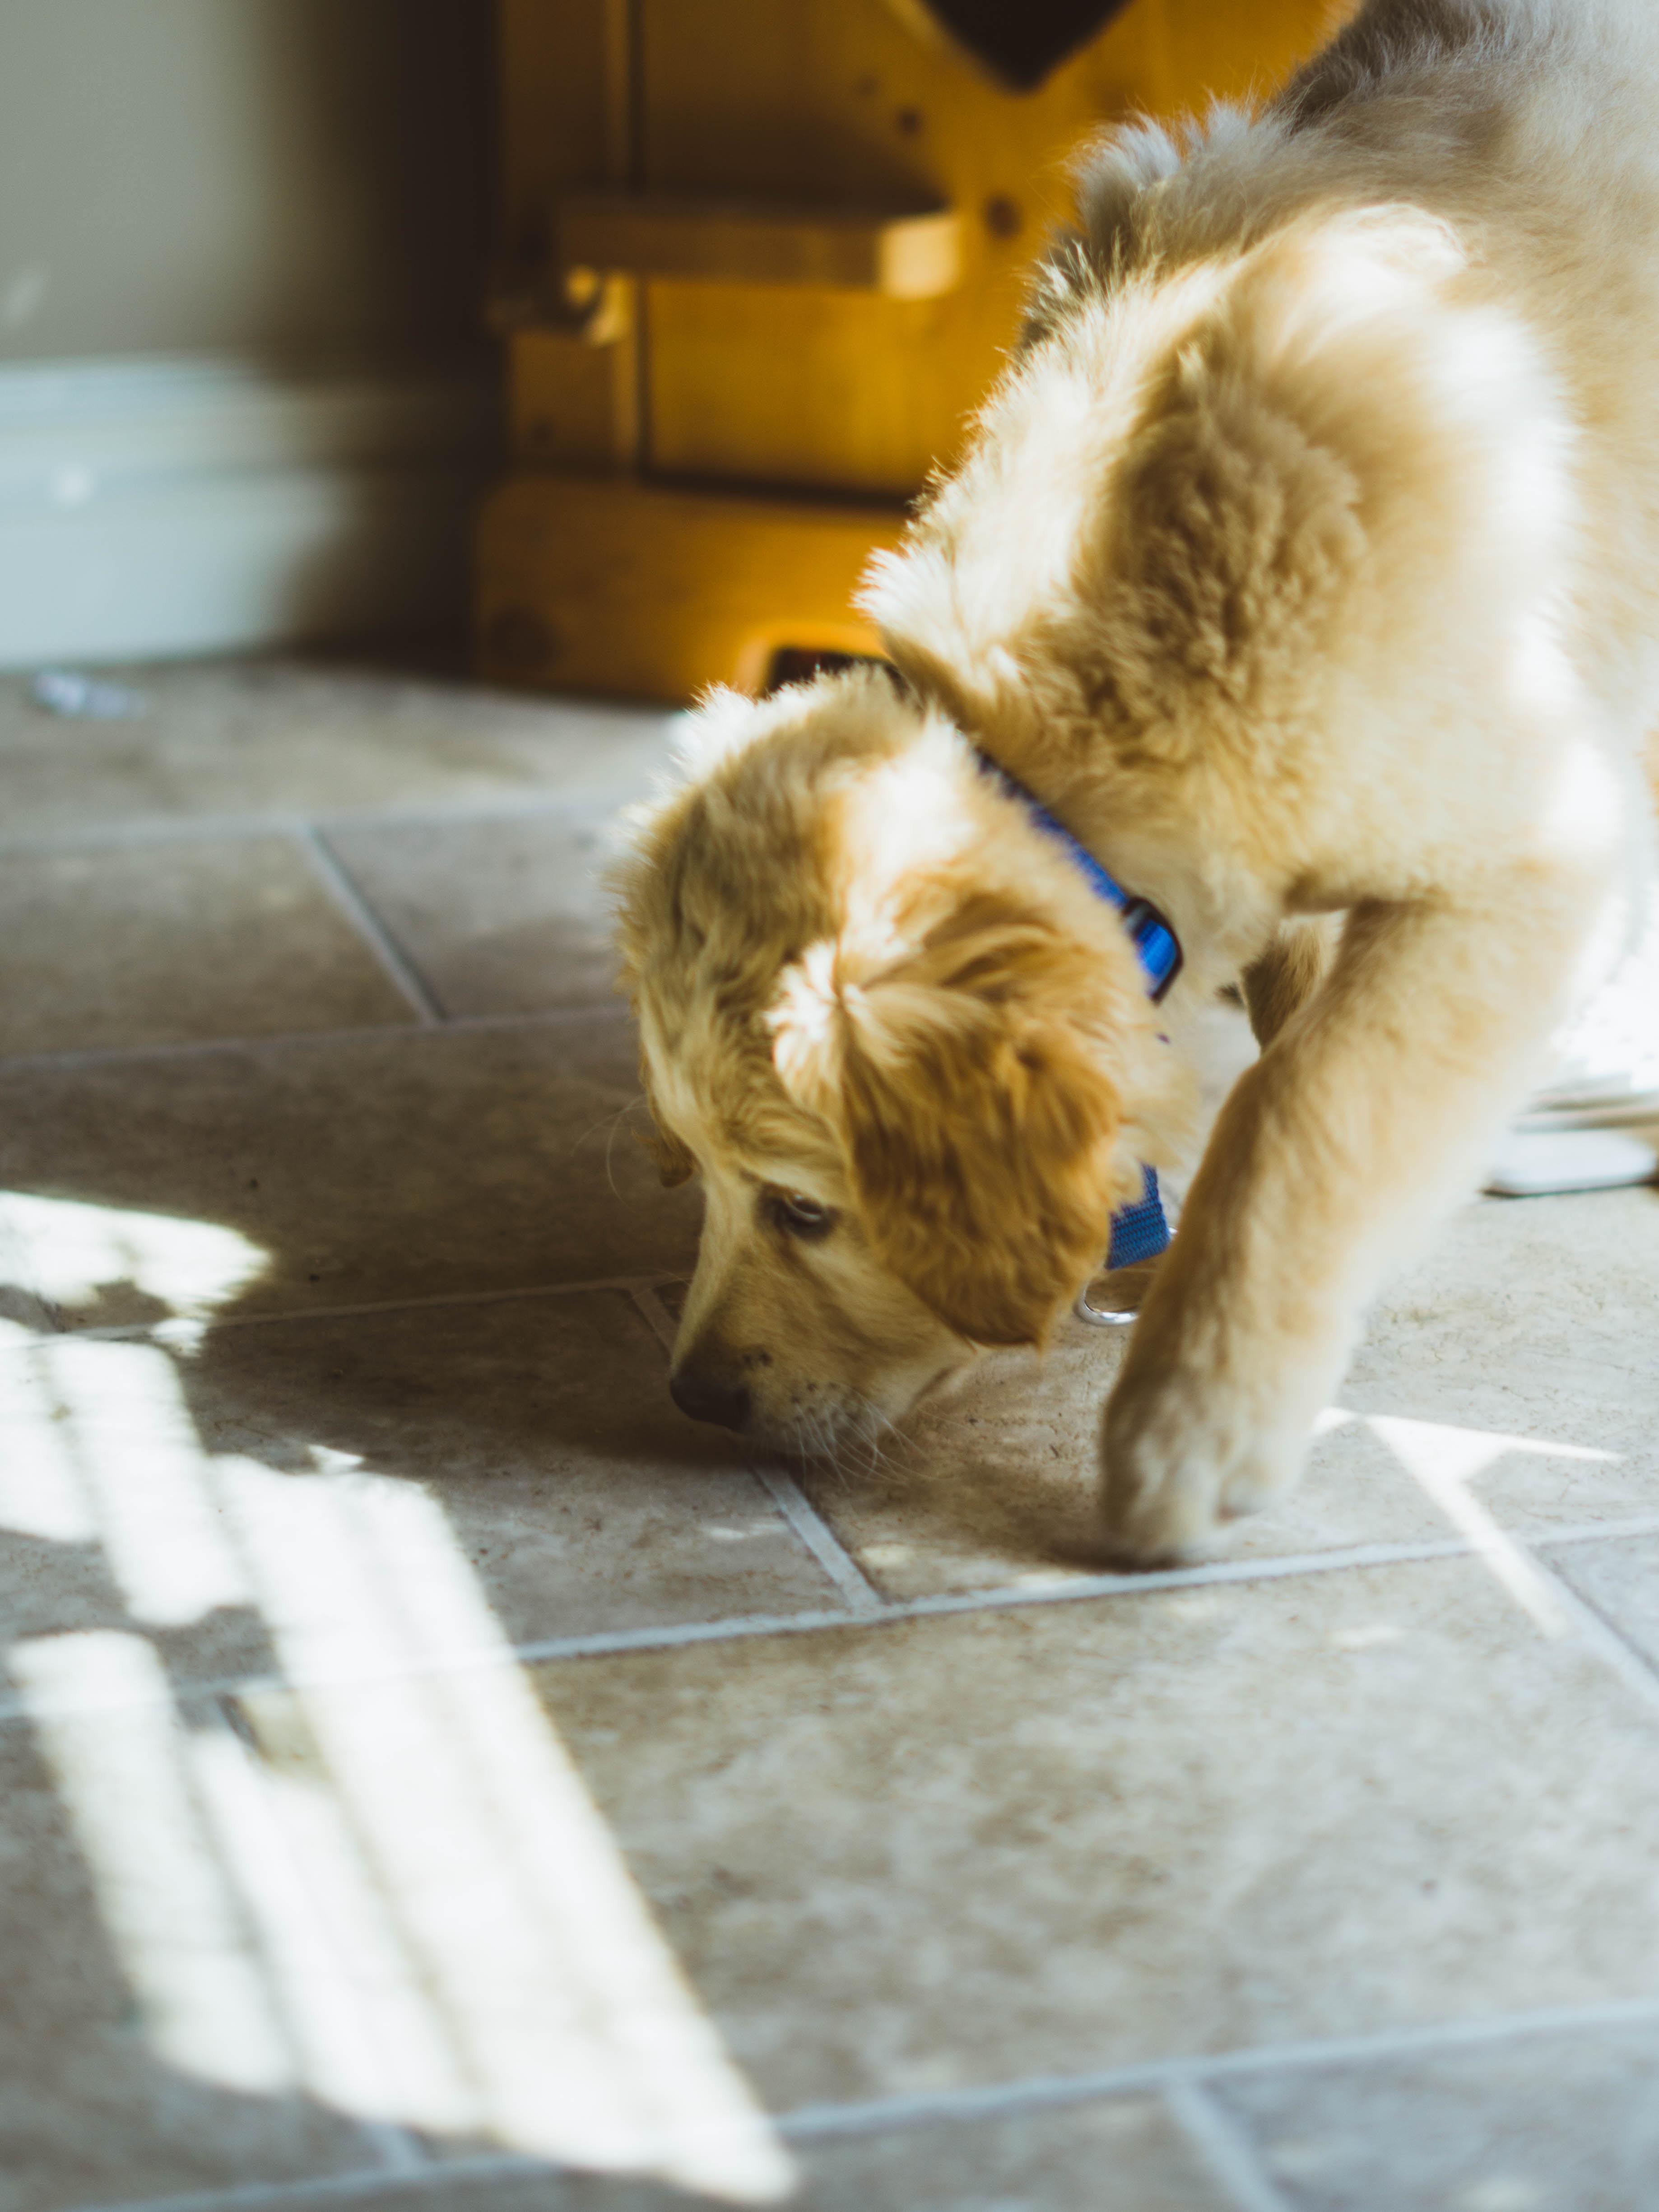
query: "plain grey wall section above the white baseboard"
258, 176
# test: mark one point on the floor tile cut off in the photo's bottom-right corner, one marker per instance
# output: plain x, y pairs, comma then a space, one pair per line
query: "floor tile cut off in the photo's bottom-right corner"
1541, 2125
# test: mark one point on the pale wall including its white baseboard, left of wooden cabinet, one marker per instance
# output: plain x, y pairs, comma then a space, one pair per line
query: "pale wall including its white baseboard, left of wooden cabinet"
242, 262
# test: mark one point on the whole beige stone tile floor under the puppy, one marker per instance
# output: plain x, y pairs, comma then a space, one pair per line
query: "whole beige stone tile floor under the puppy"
435, 1775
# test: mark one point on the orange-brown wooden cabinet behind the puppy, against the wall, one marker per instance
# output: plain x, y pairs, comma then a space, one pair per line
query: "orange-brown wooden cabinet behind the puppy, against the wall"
760, 264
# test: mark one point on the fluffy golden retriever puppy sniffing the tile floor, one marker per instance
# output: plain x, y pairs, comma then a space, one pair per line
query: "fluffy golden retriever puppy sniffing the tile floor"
1306, 567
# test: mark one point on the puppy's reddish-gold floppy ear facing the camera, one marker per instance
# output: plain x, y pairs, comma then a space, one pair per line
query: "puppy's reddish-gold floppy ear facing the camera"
974, 1114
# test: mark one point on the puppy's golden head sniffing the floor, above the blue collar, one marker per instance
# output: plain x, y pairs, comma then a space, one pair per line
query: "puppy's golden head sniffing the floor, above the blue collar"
890, 1032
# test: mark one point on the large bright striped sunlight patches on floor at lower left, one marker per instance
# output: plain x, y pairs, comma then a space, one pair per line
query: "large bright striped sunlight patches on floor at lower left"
382, 1879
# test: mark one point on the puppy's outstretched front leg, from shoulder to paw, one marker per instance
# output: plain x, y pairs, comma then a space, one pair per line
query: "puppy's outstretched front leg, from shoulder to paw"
1364, 1120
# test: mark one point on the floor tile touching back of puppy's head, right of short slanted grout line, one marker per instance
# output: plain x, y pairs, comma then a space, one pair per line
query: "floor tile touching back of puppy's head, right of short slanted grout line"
501, 917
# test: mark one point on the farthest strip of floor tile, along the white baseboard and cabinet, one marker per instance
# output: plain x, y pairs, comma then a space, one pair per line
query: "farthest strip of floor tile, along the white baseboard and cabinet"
304, 735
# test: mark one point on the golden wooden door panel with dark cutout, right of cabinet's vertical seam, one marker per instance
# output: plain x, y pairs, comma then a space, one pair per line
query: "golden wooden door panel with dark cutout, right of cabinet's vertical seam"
842, 101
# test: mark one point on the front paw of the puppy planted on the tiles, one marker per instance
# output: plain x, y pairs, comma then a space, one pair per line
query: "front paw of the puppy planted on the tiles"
1182, 1457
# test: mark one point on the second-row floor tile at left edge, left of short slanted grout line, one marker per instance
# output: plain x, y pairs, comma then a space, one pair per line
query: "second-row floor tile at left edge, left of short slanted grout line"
174, 943
